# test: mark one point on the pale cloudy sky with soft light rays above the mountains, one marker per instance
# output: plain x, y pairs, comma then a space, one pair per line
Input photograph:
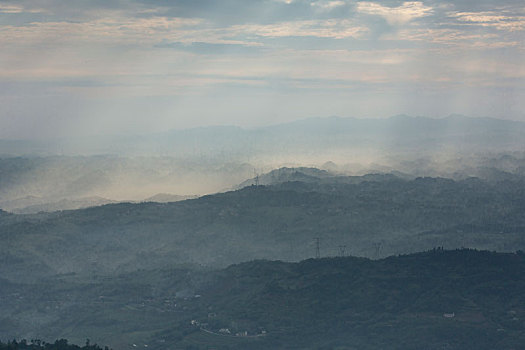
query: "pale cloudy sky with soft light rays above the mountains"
77, 67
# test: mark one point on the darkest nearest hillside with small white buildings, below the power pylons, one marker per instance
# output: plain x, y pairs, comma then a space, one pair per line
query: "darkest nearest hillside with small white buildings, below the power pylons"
461, 299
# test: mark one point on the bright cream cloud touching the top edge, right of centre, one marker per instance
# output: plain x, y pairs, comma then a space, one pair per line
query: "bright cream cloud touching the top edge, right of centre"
408, 11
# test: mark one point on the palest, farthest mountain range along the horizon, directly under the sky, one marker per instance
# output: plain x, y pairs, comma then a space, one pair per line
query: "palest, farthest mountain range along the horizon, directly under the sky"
317, 136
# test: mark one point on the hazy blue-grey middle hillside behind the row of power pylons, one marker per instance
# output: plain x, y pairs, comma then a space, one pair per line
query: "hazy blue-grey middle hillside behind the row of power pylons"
375, 217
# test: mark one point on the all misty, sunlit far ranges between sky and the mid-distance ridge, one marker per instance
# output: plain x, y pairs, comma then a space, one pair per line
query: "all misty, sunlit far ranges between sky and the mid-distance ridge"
214, 159
